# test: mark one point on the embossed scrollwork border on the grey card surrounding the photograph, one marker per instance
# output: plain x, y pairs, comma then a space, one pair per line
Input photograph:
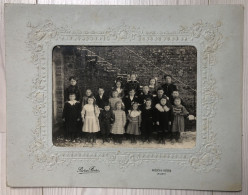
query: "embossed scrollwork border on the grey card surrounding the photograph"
203, 159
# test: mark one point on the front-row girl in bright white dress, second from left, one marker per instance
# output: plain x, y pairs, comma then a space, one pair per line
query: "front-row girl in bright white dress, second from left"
90, 115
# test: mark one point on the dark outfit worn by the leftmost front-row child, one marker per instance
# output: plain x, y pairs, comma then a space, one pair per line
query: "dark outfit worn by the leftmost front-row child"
71, 114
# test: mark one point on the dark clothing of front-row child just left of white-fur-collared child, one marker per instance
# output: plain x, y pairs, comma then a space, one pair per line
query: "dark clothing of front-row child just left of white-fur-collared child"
147, 120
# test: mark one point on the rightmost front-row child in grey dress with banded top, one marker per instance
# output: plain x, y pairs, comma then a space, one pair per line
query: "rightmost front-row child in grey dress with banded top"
179, 112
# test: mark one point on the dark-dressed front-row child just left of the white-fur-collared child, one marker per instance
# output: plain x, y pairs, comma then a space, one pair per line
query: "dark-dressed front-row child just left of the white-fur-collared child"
147, 120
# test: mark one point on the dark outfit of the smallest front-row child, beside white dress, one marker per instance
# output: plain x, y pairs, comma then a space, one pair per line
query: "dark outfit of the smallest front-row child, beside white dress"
106, 119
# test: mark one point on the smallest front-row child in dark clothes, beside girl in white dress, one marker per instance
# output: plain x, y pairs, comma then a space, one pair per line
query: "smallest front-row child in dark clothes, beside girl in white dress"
106, 118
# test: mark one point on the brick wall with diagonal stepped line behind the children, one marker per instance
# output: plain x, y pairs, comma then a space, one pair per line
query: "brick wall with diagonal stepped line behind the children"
99, 65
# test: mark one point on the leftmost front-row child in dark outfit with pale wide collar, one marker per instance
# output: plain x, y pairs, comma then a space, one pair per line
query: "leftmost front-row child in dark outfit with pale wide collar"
71, 116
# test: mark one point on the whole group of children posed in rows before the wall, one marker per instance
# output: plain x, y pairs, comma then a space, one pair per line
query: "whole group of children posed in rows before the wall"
131, 111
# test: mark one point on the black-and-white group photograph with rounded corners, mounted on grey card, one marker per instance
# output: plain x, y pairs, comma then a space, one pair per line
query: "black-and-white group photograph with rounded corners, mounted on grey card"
124, 96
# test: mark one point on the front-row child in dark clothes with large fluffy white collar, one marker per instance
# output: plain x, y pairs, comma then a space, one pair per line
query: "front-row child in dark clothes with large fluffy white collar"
163, 119
